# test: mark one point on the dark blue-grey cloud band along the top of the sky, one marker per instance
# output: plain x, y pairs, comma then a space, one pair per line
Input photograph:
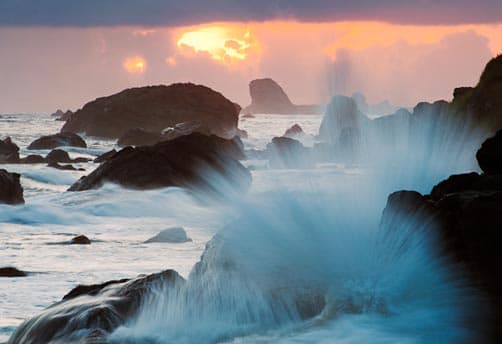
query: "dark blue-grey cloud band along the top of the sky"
172, 13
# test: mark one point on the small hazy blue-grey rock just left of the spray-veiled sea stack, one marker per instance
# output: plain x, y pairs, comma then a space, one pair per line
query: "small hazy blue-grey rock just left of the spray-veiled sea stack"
284, 152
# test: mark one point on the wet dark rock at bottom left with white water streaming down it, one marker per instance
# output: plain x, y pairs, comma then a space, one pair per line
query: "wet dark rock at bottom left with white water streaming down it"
79, 318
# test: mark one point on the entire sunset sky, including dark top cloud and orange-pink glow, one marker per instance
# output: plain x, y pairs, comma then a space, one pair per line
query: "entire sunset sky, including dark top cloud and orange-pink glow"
57, 54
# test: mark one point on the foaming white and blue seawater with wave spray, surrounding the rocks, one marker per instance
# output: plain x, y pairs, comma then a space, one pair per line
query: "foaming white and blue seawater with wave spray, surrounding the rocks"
312, 233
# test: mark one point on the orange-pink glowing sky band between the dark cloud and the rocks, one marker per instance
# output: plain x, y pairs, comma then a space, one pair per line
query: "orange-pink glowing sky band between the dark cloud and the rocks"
312, 61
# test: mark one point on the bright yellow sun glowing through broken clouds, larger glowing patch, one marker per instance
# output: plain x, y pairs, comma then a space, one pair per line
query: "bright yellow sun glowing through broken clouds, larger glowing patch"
223, 43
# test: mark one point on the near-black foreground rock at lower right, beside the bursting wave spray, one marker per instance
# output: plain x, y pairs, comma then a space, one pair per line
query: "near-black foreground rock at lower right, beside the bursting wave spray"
465, 211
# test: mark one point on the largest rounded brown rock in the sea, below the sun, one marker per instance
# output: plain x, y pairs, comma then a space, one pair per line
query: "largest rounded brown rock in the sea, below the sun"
155, 108
